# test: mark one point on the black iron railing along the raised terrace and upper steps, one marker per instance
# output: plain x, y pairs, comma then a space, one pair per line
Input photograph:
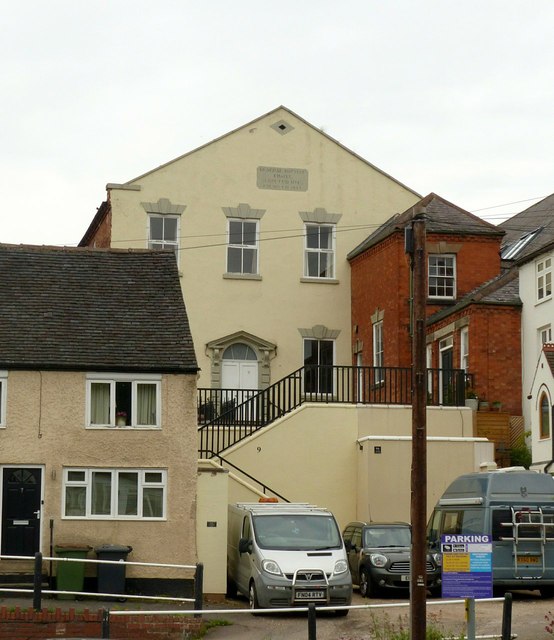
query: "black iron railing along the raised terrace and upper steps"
227, 416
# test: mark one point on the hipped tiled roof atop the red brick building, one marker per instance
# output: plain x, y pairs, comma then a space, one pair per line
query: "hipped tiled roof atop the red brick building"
441, 217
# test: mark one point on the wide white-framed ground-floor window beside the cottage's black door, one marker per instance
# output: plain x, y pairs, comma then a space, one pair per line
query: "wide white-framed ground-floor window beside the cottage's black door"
114, 494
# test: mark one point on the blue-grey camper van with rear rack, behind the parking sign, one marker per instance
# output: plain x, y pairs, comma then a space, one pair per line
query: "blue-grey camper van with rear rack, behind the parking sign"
515, 507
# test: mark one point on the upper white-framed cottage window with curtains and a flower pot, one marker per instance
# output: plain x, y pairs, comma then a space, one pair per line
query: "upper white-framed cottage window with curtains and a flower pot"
123, 402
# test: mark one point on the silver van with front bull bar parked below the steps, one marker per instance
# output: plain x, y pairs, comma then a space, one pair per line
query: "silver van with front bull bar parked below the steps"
284, 555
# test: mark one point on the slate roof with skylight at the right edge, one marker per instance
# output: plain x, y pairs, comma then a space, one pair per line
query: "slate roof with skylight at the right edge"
538, 218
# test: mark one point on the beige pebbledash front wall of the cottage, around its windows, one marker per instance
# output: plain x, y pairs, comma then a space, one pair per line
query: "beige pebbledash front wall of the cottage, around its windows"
56, 437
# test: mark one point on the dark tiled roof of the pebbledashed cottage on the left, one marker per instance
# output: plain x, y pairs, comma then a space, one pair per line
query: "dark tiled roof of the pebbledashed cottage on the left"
92, 309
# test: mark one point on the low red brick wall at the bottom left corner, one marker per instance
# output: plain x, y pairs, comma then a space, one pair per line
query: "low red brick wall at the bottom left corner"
25, 624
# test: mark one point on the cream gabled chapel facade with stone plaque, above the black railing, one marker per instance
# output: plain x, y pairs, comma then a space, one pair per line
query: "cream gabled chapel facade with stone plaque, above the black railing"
261, 220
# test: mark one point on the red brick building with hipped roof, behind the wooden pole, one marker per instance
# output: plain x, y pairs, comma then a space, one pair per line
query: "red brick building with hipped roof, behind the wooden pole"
473, 308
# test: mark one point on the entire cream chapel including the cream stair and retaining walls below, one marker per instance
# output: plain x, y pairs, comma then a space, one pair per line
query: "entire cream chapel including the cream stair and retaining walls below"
261, 221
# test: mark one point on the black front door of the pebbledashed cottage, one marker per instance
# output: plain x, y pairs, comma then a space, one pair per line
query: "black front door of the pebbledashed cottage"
21, 511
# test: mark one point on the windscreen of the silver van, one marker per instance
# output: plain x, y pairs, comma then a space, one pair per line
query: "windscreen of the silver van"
296, 532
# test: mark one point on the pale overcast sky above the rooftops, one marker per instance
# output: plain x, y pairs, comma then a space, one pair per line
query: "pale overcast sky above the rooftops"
455, 97
